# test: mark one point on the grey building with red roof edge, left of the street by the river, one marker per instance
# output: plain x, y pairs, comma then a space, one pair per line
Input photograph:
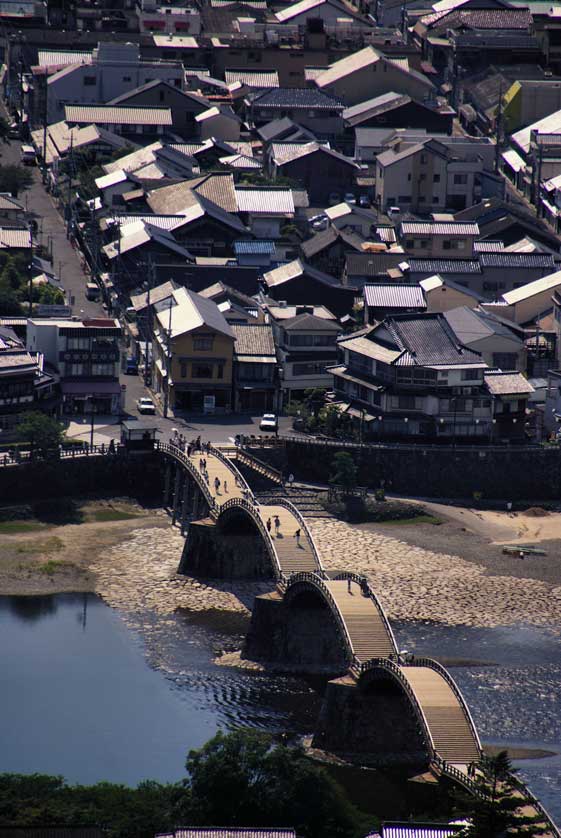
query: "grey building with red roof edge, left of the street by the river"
86, 355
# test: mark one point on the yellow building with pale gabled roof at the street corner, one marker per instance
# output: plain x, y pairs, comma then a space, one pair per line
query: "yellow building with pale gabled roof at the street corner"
193, 350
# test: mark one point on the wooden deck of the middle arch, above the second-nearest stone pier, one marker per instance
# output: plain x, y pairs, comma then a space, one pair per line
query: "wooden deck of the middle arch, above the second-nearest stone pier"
367, 630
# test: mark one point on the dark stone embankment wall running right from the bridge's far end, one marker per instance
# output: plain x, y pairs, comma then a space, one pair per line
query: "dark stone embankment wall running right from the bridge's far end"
506, 474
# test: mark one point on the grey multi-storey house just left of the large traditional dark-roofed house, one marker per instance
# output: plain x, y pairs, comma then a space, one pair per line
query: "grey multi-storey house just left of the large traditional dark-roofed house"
306, 343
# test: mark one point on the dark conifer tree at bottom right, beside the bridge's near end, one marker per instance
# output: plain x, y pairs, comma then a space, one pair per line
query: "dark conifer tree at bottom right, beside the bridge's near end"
498, 810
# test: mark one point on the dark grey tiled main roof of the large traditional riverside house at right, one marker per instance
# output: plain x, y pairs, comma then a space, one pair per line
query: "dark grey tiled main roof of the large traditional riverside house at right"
428, 340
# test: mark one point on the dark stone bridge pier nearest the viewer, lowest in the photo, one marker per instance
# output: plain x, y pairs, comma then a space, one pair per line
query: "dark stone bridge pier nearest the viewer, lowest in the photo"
373, 722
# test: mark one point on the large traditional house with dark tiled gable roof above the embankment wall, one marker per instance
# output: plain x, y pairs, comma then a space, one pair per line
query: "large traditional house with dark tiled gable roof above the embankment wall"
411, 376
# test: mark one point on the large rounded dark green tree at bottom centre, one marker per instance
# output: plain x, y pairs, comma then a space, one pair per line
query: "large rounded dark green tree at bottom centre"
246, 779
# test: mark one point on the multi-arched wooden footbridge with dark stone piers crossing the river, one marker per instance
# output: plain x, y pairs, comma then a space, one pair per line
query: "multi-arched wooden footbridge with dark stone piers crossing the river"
380, 701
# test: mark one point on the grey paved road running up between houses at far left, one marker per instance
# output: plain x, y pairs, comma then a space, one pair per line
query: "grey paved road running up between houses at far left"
52, 232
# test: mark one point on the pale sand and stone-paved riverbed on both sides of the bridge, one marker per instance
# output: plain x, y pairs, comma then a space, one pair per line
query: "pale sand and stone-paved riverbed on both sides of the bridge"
421, 572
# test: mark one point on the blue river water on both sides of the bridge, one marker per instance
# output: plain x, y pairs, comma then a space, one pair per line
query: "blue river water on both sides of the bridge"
87, 696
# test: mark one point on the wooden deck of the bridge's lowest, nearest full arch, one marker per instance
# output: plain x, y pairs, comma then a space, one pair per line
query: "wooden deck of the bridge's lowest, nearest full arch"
451, 733
